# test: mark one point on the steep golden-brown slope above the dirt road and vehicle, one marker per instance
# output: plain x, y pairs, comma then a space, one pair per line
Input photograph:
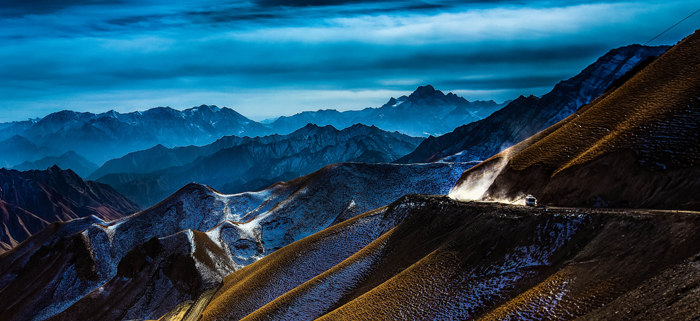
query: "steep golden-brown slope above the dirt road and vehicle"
635, 146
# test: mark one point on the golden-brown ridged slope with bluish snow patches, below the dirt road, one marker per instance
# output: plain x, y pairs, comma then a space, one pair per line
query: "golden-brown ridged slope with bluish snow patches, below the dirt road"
441, 259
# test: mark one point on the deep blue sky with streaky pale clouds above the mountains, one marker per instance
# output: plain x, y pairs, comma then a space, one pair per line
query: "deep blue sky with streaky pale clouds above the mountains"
266, 58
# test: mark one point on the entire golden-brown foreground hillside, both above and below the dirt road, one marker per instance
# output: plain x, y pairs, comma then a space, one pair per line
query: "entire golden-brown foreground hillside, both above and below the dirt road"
446, 257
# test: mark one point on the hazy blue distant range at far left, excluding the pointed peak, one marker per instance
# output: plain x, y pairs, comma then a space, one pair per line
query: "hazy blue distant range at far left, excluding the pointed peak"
100, 137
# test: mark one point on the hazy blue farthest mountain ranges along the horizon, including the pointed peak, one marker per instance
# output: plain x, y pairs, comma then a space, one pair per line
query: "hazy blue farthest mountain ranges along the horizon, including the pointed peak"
101, 137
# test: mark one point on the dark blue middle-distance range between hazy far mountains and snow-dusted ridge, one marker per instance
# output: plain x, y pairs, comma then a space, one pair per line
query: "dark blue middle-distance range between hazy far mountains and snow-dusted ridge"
237, 164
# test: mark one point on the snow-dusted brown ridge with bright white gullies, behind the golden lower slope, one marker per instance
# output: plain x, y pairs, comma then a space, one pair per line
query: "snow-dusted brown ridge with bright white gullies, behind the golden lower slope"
144, 265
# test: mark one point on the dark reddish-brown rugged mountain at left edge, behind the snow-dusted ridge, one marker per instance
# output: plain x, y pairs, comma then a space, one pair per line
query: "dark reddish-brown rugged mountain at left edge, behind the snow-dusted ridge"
31, 200
